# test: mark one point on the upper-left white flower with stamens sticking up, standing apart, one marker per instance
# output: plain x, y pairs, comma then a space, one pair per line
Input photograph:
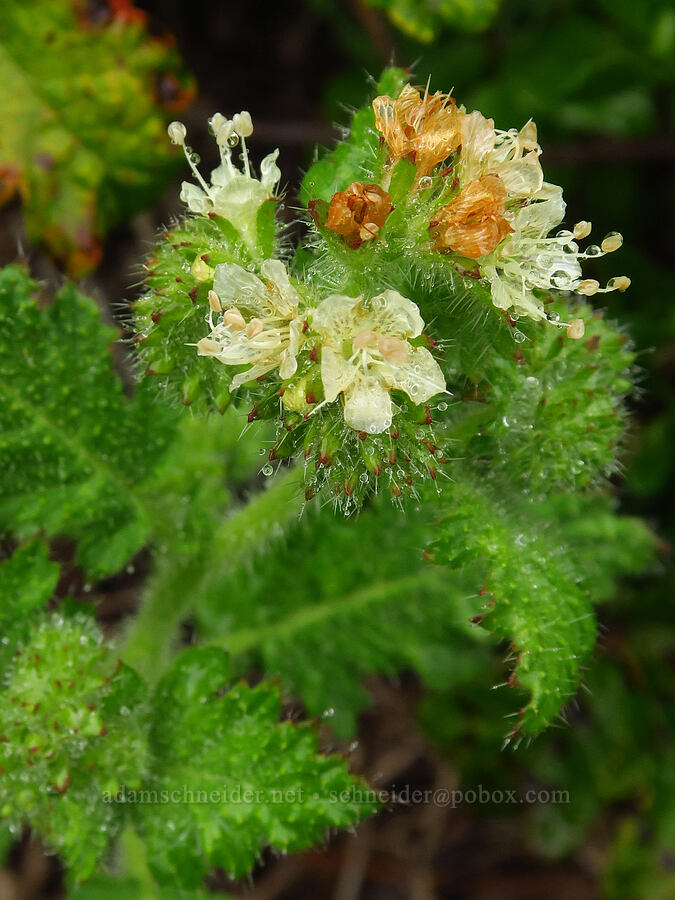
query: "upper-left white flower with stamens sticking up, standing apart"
236, 195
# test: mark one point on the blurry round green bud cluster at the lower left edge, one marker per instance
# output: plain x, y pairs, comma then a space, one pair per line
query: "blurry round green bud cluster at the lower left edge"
72, 736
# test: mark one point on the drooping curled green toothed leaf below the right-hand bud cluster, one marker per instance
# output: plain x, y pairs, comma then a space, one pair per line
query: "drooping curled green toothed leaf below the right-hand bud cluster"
540, 572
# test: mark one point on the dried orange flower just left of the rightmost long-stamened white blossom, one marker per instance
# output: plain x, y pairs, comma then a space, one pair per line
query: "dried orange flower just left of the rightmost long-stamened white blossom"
473, 222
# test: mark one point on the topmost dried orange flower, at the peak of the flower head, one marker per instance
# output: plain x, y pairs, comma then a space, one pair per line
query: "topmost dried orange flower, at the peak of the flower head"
424, 128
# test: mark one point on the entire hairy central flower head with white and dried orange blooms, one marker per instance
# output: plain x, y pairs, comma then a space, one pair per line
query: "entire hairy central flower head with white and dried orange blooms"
332, 345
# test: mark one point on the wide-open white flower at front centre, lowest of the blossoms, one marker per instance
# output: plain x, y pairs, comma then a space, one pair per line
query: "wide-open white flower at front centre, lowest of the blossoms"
366, 352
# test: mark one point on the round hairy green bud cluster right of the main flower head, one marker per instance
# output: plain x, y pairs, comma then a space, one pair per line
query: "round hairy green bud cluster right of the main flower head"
554, 410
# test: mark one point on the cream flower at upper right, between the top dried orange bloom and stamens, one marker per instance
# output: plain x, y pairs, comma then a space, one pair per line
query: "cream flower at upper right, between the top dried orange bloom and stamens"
512, 155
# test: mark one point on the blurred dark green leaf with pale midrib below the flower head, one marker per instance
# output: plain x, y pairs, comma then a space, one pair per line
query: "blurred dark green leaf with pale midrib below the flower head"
361, 598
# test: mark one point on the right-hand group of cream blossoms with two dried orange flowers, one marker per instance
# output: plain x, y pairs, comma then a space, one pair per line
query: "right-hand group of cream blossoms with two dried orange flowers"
501, 210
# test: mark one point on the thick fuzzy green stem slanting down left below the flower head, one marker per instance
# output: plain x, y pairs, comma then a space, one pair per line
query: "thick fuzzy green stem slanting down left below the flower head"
150, 643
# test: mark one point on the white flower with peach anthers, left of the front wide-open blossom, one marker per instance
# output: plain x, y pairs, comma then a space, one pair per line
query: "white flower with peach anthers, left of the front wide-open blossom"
258, 321
